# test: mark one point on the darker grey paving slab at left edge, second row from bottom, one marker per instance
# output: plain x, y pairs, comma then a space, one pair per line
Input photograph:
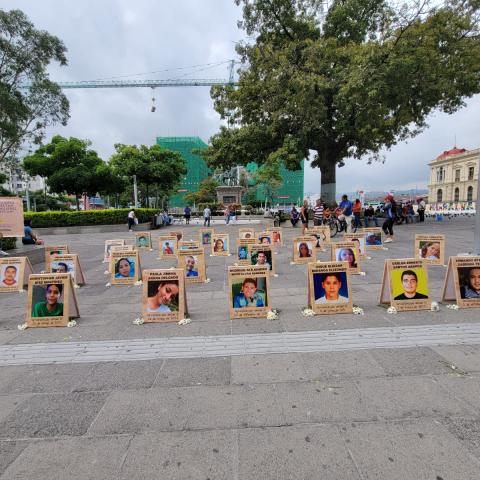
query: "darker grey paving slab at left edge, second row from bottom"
52, 415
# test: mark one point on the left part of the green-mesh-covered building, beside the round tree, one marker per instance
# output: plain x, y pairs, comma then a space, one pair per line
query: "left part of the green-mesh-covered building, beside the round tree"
197, 169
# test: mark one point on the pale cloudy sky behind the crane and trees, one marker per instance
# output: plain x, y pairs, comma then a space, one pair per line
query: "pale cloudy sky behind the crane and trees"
120, 38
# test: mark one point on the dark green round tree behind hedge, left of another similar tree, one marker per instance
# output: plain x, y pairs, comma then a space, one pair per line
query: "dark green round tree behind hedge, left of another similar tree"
68, 165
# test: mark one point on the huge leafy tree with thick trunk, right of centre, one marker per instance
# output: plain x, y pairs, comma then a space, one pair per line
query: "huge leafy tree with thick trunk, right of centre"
345, 84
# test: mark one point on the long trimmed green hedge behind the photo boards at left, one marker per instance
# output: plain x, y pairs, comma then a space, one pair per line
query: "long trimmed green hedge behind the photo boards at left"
89, 217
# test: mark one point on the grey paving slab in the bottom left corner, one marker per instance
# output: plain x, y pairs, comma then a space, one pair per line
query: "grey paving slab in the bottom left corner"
74, 458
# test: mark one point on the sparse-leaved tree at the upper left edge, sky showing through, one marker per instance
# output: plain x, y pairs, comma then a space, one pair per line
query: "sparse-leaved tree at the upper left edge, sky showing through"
25, 54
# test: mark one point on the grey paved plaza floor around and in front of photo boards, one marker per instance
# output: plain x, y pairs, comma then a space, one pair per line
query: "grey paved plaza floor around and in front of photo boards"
373, 396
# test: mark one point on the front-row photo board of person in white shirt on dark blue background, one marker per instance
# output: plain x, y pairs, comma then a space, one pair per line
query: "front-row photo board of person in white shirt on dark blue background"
329, 288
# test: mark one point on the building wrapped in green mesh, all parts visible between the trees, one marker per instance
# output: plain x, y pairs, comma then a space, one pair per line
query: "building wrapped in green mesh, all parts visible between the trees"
291, 192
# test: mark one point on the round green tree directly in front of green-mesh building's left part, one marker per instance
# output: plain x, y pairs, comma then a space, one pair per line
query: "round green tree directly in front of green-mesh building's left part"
153, 166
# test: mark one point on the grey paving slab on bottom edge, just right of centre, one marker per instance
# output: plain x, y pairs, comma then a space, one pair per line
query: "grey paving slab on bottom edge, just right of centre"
308, 452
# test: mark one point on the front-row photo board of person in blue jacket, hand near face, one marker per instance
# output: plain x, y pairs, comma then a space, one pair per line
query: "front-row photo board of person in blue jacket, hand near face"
248, 291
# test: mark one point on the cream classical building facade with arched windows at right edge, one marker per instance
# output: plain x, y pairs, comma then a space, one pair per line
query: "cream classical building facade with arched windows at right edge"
454, 177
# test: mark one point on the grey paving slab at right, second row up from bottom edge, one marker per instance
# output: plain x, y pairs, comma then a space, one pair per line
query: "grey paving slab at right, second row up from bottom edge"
402, 397
